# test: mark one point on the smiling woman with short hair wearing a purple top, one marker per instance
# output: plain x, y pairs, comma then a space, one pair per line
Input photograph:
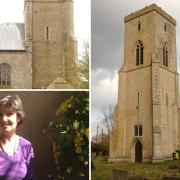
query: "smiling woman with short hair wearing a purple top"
16, 153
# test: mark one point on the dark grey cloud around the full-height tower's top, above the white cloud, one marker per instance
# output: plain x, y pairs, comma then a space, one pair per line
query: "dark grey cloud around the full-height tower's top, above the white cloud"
108, 29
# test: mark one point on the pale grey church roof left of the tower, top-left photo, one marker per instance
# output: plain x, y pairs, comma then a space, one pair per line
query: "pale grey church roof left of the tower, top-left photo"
12, 36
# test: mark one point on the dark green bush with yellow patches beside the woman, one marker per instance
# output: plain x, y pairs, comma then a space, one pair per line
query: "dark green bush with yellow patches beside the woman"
70, 136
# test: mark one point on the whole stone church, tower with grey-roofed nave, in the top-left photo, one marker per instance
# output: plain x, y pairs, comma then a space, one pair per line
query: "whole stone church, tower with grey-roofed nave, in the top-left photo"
42, 52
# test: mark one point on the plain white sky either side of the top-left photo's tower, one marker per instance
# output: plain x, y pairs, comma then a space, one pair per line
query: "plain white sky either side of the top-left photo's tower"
12, 11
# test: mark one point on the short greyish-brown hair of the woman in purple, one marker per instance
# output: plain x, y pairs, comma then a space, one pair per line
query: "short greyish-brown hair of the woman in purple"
14, 102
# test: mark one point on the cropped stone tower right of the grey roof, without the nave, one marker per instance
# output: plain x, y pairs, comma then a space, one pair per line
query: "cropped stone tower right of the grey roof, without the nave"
49, 35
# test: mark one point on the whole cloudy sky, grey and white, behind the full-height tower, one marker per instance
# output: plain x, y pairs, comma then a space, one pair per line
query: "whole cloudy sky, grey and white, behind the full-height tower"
107, 46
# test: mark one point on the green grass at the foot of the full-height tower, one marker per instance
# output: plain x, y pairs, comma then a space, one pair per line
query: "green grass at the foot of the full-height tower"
103, 169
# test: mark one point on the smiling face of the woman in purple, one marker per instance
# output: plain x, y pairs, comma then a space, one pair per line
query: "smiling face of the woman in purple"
8, 119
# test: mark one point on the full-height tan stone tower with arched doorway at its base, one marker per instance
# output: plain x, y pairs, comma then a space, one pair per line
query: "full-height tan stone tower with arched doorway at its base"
146, 123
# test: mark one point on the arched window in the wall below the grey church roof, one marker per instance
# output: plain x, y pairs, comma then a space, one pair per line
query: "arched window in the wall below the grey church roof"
5, 74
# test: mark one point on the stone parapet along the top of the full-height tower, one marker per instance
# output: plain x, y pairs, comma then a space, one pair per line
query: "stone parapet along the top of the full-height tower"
147, 9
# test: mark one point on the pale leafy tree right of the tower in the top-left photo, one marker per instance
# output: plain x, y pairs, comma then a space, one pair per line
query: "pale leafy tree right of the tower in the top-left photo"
83, 67
